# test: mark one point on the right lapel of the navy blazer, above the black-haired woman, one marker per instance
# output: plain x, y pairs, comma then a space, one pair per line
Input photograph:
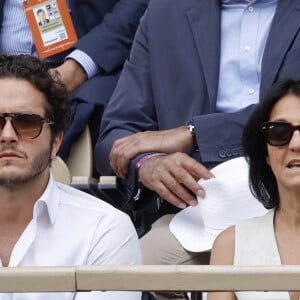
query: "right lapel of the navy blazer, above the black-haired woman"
281, 35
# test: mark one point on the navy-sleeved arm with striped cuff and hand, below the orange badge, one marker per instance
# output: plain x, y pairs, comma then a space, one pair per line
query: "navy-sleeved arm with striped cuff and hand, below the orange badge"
94, 49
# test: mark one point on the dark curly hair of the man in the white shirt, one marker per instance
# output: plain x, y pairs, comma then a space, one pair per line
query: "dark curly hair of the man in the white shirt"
36, 72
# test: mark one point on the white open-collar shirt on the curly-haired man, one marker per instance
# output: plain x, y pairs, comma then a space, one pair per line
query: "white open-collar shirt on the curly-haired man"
71, 228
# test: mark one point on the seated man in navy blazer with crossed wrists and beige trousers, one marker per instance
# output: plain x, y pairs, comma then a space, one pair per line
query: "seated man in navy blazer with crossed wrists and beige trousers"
164, 127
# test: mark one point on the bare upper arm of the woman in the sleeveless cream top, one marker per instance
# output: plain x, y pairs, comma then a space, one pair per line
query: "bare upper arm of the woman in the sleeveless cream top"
222, 253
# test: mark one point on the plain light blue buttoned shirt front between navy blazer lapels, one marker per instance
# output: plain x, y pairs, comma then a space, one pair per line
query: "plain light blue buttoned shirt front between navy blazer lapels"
245, 26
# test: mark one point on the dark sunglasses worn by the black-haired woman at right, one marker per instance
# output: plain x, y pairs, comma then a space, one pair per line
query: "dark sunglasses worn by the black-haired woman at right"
278, 133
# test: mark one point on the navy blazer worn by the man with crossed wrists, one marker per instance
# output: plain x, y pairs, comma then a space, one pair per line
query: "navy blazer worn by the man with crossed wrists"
172, 76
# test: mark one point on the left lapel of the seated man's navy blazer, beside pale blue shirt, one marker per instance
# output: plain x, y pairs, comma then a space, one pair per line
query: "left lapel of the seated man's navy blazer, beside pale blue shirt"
204, 20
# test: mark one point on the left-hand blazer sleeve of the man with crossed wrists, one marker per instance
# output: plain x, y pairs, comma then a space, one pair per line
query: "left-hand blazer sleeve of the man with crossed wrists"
126, 104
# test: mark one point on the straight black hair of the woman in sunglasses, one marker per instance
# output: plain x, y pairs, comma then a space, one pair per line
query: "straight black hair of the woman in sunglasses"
262, 180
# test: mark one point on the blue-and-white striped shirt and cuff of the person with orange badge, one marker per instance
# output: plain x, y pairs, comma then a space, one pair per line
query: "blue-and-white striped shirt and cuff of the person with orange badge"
16, 37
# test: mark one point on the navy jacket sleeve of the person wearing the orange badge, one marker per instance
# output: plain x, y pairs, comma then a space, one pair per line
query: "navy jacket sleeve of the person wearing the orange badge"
109, 43
